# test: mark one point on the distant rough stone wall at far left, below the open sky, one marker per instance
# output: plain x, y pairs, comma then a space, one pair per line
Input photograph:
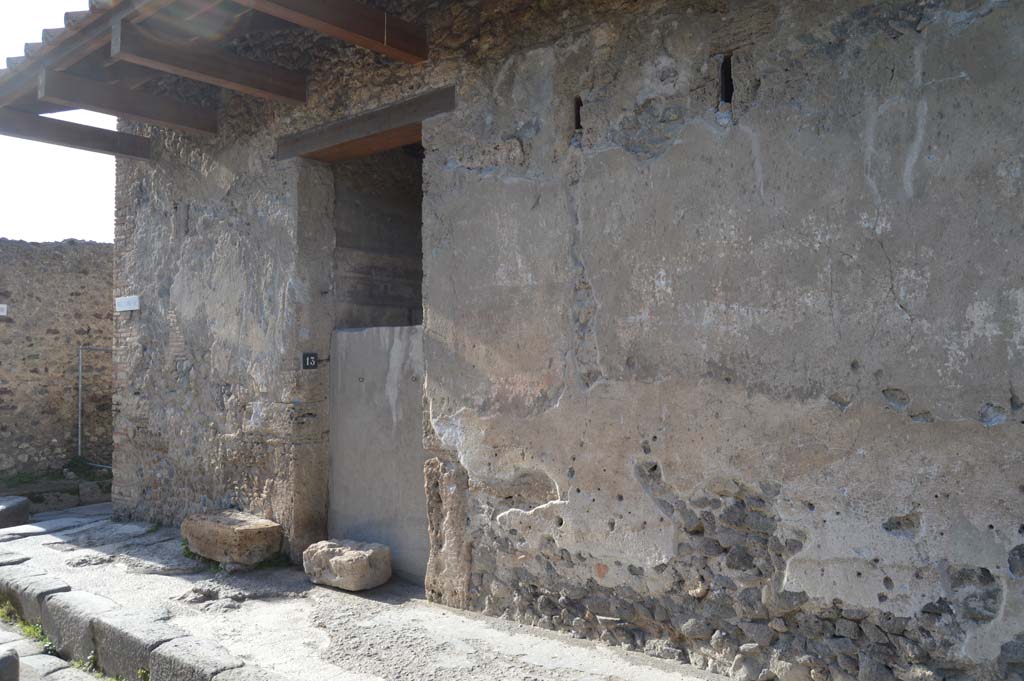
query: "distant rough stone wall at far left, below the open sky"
58, 297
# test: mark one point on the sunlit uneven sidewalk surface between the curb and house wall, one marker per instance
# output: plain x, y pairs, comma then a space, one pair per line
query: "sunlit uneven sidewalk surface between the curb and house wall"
277, 620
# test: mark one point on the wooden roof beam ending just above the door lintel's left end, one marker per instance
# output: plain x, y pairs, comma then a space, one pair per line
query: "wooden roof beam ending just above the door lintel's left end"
217, 67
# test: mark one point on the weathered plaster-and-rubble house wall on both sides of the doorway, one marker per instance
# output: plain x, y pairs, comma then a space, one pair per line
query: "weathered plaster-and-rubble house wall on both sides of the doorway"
739, 386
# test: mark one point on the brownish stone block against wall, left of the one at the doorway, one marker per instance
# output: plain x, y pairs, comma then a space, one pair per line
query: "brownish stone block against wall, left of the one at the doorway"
233, 537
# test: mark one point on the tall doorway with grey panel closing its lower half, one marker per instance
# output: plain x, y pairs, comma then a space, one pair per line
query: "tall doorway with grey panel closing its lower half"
376, 476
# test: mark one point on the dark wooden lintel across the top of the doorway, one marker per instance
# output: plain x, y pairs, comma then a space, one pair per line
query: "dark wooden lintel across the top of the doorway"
376, 124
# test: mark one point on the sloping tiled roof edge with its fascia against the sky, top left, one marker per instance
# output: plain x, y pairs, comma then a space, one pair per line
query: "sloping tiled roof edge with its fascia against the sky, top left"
93, 32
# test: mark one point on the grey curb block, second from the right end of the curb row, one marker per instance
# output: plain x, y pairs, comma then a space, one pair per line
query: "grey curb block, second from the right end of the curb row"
125, 642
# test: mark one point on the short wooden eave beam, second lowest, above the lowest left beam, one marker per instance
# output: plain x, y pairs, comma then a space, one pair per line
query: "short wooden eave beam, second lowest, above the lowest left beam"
62, 89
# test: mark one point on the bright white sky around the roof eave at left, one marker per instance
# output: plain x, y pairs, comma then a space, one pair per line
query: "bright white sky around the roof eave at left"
52, 193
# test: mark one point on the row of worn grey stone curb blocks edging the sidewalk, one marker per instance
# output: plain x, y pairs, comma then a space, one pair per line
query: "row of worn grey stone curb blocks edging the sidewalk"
80, 623
